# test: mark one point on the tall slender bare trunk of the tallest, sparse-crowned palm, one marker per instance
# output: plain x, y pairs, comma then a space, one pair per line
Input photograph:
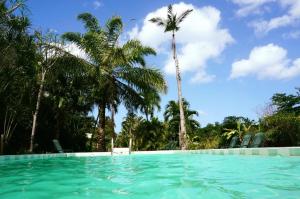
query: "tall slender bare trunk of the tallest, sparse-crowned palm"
182, 132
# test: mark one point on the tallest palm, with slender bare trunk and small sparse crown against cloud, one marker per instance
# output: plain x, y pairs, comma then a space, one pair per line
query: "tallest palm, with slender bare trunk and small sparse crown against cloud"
171, 24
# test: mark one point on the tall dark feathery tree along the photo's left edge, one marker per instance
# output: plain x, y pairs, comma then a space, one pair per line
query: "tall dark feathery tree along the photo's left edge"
17, 58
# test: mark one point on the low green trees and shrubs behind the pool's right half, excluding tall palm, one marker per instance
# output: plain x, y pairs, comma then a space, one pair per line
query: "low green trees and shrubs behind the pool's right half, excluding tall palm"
280, 121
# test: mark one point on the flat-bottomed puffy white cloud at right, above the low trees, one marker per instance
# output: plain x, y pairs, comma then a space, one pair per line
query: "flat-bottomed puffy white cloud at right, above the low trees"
267, 62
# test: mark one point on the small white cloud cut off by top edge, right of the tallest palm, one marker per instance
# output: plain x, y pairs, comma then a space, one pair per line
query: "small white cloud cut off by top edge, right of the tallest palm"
247, 7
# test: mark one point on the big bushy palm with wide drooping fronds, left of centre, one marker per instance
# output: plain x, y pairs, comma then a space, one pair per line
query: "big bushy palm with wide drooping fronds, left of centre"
119, 71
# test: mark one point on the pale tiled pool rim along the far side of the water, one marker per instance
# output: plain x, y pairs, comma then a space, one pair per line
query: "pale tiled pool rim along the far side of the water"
266, 151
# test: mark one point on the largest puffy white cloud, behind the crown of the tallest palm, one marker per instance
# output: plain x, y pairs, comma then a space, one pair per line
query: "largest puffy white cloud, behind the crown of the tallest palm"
199, 39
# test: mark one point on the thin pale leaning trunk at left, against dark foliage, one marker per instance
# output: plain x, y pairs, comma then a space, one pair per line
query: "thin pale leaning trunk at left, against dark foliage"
37, 108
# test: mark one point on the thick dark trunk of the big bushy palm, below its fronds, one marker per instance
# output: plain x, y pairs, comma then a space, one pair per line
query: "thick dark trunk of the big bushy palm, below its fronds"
101, 129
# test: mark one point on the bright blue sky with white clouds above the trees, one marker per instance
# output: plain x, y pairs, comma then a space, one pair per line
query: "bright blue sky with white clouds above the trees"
233, 54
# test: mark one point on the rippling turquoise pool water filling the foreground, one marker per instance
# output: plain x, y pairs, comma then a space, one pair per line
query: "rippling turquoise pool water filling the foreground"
152, 176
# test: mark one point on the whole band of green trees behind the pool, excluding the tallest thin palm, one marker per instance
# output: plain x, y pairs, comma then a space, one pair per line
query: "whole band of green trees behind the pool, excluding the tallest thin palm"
47, 93
